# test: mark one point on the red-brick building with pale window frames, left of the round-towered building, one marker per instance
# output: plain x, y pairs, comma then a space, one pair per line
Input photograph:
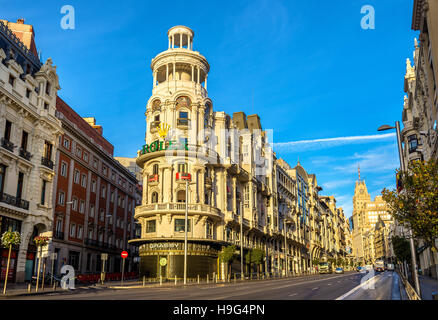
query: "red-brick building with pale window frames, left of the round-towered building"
94, 198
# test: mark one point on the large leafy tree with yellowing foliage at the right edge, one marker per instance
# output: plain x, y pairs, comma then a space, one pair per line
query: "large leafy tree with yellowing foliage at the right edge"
416, 205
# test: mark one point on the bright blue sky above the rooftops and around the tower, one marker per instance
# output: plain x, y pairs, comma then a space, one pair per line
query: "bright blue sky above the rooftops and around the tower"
306, 67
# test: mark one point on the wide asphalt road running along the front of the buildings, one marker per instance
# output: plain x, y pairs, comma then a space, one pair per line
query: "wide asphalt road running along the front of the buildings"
315, 287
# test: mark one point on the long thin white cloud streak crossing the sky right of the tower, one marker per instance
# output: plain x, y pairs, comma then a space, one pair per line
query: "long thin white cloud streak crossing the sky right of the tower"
317, 144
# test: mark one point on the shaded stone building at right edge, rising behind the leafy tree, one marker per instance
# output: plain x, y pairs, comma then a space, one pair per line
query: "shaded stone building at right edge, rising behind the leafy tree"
420, 109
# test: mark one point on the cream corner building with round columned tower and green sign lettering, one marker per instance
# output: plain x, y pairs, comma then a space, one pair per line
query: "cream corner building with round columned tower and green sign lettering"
232, 172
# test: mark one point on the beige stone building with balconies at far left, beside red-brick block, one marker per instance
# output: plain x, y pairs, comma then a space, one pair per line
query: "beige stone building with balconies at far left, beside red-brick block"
29, 132
